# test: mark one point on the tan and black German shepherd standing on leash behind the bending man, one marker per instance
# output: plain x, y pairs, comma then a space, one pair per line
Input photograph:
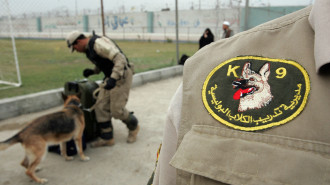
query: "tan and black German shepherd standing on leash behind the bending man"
58, 127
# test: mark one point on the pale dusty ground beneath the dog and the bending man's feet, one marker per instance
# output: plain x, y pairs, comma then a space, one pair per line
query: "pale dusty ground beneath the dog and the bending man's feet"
121, 164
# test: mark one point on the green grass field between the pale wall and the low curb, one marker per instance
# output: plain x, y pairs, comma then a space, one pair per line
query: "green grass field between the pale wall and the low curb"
48, 64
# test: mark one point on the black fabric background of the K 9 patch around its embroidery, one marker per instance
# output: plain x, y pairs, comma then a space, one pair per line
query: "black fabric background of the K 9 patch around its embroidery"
282, 89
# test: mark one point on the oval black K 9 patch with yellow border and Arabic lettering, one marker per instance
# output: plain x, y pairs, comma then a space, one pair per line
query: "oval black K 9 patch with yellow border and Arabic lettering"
253, 93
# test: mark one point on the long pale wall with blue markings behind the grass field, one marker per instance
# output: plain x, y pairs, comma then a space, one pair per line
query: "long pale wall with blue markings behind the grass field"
141, 25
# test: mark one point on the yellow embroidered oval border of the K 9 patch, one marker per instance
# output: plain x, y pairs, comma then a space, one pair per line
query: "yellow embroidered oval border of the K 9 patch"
300, 109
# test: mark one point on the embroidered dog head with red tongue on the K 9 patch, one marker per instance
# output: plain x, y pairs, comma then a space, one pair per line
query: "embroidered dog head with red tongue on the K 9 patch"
253, 90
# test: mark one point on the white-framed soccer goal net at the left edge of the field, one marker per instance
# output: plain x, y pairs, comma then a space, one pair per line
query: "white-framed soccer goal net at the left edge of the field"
9, 67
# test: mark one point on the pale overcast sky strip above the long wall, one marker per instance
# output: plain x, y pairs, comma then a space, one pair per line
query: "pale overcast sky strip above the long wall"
120, 6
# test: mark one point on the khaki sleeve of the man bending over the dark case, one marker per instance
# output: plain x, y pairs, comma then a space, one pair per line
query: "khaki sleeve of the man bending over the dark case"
107, 49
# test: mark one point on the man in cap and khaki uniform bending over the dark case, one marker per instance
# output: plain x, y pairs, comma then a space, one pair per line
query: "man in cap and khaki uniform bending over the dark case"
114, 91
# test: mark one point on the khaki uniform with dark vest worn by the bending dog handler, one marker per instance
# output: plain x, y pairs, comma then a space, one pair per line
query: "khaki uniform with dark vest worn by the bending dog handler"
109, 59
